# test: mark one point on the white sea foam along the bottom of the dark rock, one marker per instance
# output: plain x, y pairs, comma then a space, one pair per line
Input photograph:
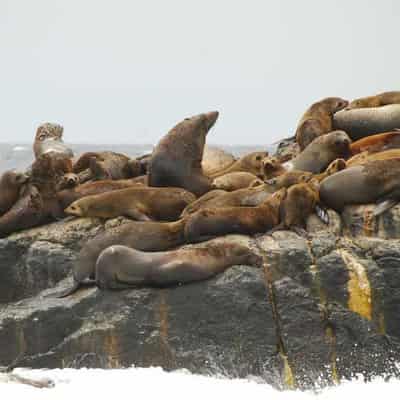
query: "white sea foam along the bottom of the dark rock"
154, 383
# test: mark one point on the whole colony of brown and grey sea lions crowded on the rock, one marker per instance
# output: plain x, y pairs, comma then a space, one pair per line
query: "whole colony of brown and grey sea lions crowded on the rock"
205, 198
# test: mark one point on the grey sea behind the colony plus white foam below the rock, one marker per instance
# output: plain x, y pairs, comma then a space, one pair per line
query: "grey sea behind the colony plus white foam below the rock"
155, 383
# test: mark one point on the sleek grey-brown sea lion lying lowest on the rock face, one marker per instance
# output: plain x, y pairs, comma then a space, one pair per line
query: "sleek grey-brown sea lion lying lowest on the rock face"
121, 267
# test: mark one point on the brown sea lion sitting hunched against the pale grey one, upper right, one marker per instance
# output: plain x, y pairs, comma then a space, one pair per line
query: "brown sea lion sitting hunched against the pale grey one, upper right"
317, 120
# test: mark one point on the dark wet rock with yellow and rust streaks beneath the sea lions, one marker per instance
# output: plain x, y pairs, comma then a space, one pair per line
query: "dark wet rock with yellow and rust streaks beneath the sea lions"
321, 309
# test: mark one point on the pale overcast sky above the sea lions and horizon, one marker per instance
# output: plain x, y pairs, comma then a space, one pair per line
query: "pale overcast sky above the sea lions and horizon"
125, 71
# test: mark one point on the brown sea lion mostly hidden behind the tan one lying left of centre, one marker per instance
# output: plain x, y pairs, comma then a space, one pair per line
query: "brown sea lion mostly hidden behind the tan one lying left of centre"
68, 196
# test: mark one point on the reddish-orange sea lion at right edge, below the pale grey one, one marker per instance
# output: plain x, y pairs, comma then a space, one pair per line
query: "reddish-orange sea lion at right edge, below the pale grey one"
376, 143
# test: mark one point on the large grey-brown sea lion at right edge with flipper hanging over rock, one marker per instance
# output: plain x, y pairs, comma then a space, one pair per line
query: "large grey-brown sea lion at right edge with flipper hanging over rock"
376, 181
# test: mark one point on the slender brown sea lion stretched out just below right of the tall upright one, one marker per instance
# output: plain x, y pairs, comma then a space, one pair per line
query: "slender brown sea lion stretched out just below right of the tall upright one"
251, 197
